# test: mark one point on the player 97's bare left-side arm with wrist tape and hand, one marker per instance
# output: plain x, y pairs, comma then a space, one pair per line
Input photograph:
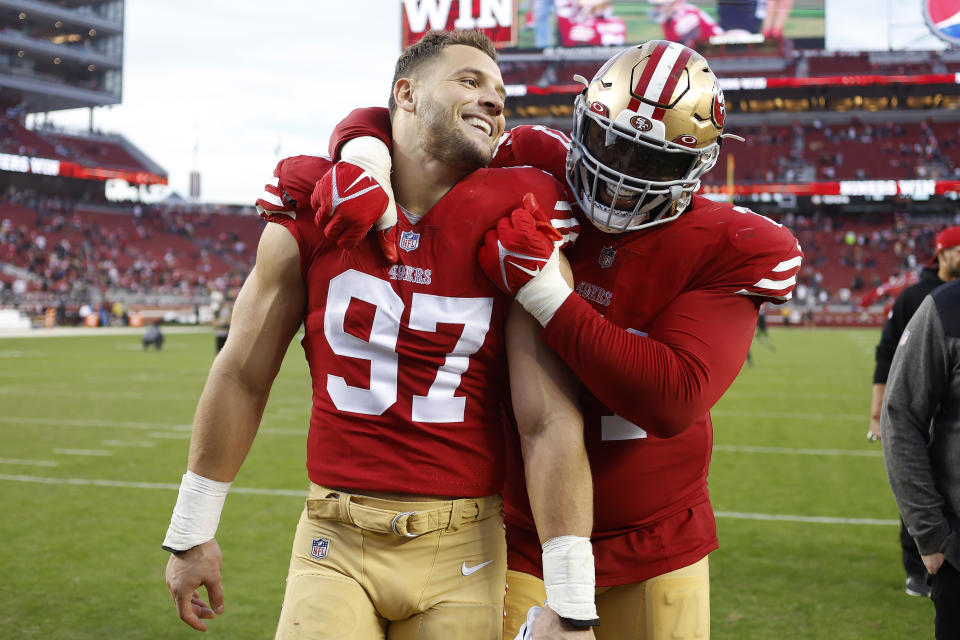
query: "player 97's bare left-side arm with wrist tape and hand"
266, 315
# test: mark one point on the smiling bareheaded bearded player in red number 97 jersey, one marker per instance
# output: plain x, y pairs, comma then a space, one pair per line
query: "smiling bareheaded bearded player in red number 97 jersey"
401, 536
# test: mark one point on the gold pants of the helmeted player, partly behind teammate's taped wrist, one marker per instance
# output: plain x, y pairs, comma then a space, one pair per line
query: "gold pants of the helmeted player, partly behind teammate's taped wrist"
674, 606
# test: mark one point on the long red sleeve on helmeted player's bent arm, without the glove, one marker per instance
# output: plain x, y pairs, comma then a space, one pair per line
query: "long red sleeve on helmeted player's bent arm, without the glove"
667, 380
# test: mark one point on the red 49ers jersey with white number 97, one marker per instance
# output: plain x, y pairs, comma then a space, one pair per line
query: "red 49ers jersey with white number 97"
407, 360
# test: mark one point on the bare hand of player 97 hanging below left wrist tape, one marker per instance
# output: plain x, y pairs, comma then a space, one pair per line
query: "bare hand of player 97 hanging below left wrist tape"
189, 571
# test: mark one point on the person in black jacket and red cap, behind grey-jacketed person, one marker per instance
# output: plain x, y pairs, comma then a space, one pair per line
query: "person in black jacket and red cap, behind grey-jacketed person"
945, 267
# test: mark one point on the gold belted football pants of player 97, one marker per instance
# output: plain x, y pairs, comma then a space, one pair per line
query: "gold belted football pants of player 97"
365, 568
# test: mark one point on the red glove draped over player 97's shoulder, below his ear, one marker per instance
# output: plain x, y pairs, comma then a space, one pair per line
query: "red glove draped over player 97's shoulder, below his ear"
348, 201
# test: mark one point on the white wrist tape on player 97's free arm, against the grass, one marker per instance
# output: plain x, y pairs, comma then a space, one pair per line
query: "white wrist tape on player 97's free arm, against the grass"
197, 513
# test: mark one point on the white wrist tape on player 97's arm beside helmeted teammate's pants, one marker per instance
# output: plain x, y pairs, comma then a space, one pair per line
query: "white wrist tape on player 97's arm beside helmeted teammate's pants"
570, 579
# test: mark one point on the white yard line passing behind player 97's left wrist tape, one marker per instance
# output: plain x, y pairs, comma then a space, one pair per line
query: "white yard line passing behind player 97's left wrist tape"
301, 493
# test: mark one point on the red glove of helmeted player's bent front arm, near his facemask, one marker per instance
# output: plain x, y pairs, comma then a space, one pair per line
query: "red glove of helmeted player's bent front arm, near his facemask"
519, 246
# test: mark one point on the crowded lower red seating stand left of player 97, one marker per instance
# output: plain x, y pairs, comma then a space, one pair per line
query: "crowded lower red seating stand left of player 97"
136, 252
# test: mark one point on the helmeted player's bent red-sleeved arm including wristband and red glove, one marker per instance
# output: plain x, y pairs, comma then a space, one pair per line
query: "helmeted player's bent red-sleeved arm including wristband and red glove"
664, 381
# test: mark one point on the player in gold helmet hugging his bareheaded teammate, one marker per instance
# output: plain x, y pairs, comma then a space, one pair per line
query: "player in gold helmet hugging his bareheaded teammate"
669, 285
